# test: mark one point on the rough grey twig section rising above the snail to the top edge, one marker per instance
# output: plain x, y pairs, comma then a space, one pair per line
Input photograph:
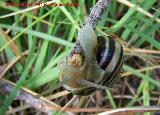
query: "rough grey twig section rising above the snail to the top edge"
96, 12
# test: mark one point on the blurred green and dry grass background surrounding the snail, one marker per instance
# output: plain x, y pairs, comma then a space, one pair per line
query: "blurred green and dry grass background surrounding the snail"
32, 41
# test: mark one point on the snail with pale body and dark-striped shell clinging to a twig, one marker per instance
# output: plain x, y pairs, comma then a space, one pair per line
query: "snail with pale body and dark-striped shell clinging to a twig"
94, 63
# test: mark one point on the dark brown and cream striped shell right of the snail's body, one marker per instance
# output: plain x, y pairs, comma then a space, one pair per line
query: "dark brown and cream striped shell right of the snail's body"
110, 59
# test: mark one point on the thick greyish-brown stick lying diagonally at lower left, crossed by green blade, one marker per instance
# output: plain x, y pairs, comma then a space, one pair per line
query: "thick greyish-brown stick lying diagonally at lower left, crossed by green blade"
29, 97
